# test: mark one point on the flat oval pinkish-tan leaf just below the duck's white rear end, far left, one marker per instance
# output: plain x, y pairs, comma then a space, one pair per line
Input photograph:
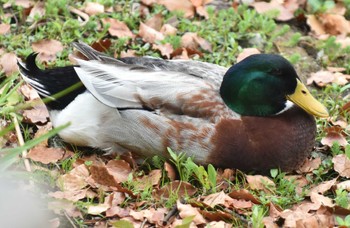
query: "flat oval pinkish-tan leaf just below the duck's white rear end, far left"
45, 155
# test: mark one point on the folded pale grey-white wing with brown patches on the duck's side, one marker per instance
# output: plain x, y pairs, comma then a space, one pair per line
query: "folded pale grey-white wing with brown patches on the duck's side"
129, 86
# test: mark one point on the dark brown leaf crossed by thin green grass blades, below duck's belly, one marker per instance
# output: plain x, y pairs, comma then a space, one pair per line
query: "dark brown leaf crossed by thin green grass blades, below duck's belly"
181, 188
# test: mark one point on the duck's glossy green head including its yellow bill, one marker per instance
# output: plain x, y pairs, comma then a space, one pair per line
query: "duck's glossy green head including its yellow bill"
262, 85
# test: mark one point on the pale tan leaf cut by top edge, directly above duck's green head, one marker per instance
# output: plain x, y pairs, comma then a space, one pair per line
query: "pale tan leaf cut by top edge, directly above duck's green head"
264, 7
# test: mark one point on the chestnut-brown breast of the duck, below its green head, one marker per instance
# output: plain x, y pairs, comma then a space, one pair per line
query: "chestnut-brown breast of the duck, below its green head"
263, 143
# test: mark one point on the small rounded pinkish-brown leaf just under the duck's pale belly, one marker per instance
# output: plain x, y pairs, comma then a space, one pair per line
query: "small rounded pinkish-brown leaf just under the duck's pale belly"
119, 169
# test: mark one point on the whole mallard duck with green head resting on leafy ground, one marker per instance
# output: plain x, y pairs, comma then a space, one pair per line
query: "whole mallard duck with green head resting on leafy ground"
254, 116
